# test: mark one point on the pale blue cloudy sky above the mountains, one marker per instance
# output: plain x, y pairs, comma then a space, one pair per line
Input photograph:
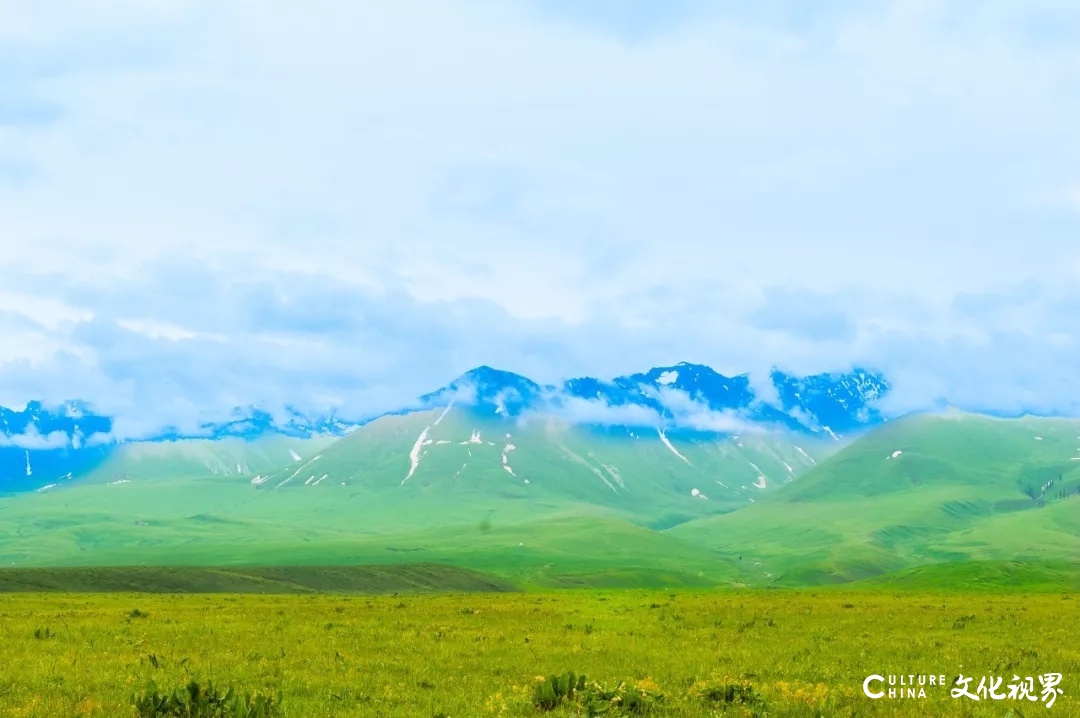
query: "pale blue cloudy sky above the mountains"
209, 205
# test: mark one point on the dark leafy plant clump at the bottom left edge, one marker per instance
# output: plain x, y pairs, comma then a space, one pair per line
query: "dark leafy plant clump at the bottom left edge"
196, 701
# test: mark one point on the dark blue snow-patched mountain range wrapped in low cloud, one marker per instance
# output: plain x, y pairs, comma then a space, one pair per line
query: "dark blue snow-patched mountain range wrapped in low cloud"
42, 446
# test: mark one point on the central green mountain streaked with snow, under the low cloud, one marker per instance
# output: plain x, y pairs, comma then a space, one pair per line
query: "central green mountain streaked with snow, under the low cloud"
440, 459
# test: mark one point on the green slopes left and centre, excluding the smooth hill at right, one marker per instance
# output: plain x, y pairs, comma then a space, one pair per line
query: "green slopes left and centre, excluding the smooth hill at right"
538, 503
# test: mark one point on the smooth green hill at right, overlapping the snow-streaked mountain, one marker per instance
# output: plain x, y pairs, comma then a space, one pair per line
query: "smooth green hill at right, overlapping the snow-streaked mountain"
923, 490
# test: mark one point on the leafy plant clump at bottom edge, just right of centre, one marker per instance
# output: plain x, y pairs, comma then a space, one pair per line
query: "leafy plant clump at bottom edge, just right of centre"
595, 699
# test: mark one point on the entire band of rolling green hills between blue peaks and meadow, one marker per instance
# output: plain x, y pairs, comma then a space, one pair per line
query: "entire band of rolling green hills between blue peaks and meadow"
545, 504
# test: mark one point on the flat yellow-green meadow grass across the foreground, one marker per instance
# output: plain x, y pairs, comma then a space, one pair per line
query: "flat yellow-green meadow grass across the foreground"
480, 655
